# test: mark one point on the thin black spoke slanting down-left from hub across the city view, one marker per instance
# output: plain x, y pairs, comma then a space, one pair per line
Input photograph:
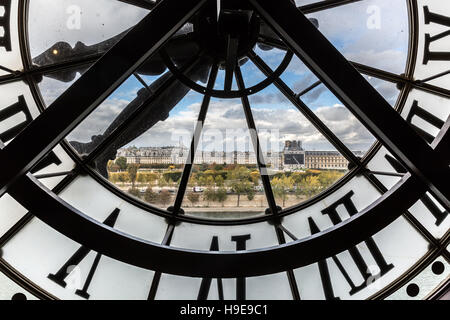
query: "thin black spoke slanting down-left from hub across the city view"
194, 143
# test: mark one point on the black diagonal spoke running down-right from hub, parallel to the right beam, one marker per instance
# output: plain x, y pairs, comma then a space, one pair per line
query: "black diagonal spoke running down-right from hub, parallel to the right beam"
303, 108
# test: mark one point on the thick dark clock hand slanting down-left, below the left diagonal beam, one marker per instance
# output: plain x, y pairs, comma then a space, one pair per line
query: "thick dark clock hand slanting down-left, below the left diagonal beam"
157, 110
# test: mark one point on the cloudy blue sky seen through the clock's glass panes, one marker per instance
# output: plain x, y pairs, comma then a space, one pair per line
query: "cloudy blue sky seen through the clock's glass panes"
372, 32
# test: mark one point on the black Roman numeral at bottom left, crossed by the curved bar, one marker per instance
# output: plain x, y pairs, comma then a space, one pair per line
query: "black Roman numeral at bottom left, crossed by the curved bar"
60, 276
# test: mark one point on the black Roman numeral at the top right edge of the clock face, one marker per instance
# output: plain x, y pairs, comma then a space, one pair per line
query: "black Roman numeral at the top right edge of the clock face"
431, 17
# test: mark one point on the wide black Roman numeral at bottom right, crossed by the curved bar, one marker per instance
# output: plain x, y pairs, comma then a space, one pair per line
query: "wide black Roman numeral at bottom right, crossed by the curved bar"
357, 258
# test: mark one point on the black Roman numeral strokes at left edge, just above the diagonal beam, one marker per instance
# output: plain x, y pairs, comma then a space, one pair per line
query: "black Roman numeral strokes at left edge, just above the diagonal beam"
10, 111
